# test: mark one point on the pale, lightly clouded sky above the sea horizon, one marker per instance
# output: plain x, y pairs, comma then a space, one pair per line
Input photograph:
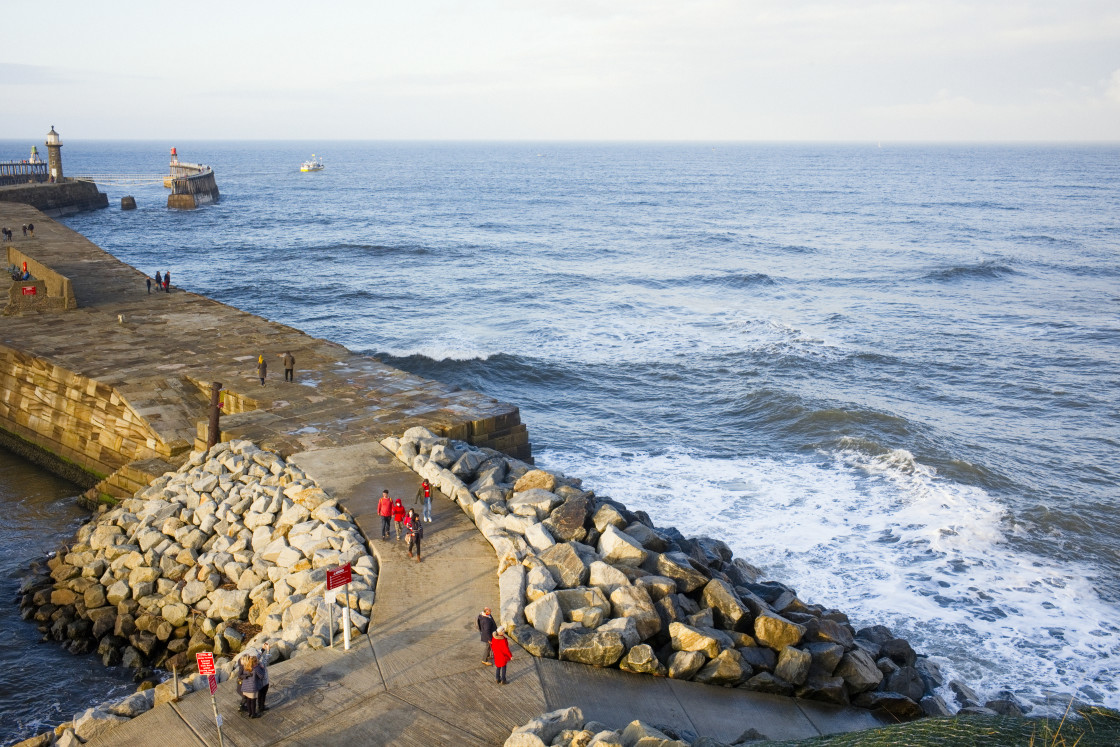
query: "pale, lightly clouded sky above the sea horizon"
564, 70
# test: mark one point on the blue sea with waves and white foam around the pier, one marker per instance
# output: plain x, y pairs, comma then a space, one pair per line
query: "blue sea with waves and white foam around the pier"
889, 376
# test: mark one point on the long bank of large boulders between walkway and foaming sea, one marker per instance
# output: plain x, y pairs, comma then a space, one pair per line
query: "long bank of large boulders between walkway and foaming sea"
584, 580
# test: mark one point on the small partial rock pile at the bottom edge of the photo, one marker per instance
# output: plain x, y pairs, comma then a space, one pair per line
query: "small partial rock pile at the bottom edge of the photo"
567, 729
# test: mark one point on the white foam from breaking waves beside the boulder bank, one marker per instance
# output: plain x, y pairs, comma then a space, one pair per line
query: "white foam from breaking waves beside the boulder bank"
886, 540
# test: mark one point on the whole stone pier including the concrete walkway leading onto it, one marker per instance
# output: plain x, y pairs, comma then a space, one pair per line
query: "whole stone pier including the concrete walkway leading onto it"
127, 372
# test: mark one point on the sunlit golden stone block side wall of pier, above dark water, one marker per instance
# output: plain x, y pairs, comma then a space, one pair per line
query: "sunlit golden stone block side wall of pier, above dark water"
74, 418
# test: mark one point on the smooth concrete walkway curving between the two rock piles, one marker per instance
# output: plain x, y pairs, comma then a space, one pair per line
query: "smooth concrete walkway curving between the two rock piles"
418, 679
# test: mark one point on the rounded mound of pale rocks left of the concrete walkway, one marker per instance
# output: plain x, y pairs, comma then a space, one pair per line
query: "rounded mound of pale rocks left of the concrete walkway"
227, 554
